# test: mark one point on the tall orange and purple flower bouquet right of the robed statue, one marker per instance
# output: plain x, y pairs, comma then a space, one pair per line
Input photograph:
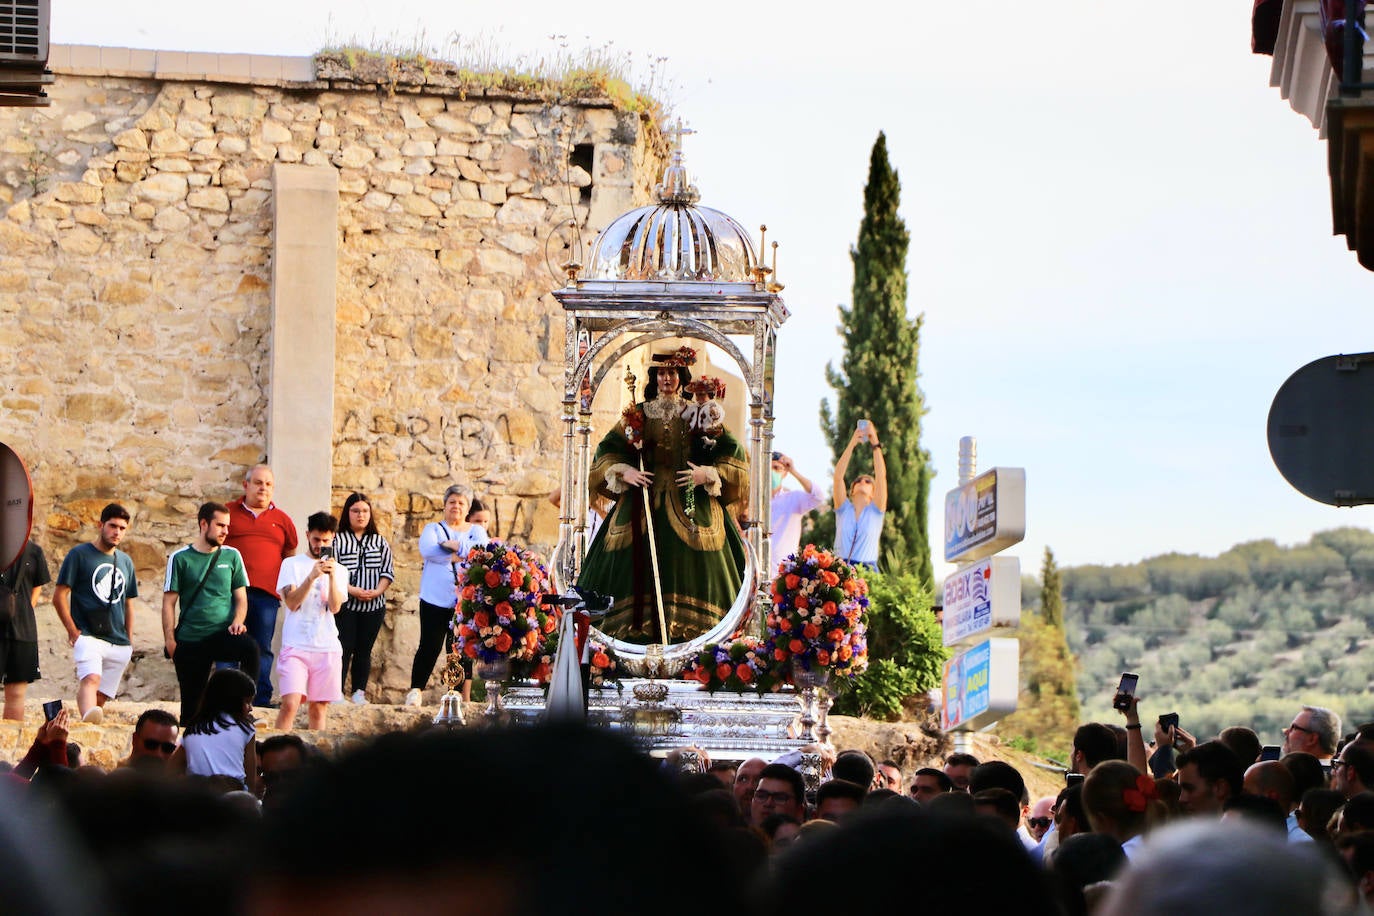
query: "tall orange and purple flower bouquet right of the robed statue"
818, 615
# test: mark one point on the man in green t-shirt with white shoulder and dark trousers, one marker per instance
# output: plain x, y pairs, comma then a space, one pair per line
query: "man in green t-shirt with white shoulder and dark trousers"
211, 584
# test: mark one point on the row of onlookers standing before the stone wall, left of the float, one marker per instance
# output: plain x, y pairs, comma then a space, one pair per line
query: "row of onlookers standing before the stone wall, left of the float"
222, 597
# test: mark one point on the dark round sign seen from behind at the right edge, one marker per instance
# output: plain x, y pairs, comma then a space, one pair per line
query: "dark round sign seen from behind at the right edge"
1321, 431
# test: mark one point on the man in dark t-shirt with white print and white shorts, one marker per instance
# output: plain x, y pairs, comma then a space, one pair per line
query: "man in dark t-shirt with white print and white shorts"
95, 587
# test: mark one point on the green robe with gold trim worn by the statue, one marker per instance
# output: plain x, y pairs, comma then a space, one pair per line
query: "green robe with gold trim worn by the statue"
701, 558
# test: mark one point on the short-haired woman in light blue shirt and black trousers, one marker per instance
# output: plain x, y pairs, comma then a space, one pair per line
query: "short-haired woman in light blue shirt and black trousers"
444, 545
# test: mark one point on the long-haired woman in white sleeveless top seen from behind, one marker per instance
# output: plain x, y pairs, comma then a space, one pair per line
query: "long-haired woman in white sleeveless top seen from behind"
221, 737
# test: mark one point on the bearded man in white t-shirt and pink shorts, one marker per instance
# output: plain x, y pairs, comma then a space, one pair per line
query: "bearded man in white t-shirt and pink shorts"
311, 663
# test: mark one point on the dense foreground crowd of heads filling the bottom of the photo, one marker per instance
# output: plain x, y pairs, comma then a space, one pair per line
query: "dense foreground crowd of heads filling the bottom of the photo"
578, 821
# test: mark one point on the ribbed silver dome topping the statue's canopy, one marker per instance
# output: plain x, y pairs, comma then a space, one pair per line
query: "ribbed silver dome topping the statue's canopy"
674, 240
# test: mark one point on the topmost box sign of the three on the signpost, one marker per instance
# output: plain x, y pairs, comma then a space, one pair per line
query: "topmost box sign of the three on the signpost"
986, 516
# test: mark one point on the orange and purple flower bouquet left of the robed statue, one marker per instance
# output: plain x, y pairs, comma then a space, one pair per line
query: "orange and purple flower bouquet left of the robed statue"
499, 616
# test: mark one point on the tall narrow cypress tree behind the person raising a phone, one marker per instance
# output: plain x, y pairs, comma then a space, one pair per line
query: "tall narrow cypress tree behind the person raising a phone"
879, 376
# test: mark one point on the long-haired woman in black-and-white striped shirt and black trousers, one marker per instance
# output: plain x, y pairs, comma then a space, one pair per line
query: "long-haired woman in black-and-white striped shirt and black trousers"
369, 561
